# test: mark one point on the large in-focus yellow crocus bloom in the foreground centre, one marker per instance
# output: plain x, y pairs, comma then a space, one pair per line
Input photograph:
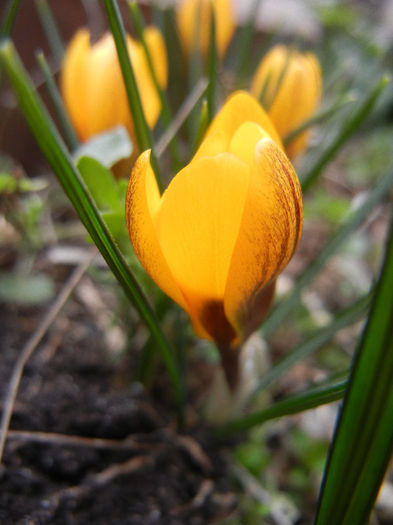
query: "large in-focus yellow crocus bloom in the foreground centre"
225, 227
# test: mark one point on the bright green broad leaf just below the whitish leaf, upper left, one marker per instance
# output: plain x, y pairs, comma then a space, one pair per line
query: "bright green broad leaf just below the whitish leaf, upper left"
101, 184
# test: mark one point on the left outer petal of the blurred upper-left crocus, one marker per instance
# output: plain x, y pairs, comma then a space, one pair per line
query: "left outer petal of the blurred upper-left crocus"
72, 79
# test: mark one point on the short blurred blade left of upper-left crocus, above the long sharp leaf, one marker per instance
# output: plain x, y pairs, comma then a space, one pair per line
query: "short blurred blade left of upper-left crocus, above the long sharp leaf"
57, 102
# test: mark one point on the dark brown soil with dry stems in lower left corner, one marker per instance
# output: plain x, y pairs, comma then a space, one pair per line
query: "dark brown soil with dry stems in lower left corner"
141, 472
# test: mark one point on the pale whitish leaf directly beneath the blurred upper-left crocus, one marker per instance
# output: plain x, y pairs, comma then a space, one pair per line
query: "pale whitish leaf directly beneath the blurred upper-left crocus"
107, 147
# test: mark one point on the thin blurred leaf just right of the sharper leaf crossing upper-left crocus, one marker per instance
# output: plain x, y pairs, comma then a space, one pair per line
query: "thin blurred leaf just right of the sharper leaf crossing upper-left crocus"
166, 113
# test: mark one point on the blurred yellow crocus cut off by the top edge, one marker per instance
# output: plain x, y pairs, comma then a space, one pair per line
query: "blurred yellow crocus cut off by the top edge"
194, 16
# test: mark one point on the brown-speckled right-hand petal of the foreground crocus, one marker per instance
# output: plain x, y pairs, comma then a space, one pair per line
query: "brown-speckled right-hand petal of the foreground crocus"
271, 228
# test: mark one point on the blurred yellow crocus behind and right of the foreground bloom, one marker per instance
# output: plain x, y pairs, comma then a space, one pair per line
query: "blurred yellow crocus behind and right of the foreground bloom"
293, 91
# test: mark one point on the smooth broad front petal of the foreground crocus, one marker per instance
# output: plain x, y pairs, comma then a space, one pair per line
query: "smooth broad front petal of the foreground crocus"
197, 225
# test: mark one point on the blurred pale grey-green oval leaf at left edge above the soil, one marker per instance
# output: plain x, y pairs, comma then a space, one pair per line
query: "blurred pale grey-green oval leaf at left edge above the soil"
27, 290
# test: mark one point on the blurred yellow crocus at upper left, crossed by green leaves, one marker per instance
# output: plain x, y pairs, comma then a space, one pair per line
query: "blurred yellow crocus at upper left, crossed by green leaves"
92, 84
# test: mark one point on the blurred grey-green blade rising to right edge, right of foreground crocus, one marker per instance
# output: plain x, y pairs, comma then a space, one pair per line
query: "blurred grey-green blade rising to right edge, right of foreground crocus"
280, 312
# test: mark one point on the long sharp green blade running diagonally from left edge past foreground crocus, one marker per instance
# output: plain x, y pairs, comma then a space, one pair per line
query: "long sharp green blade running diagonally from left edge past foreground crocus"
59, 159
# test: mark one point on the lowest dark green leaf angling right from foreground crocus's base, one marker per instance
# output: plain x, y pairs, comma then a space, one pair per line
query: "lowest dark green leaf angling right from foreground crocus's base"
310, 398
